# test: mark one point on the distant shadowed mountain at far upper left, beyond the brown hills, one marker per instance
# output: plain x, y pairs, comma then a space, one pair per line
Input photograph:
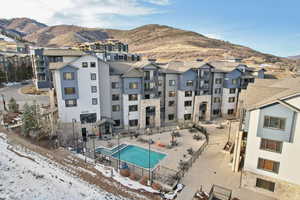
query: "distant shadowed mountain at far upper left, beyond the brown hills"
23, 26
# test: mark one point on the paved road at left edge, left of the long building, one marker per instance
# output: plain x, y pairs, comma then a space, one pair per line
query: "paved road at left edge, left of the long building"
14, 91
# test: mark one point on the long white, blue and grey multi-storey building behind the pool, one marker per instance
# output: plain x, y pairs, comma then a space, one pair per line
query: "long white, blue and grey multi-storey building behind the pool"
147, 94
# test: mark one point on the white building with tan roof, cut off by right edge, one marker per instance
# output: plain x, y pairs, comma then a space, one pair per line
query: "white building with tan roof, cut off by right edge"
272, 124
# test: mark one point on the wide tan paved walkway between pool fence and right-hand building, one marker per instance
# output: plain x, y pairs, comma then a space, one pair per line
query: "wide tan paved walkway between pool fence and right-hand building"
213, 167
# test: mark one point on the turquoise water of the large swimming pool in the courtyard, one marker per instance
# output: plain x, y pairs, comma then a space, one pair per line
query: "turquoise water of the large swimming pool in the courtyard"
139, 156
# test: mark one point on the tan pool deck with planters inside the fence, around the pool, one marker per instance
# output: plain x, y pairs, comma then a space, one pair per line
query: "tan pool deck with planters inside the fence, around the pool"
173, 156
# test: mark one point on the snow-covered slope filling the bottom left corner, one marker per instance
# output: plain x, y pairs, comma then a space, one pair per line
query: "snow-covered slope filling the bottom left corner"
32, 176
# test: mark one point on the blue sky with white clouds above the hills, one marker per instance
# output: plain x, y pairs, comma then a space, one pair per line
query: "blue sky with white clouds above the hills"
269, 26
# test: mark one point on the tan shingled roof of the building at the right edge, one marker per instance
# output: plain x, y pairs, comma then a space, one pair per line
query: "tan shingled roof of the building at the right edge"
264, 92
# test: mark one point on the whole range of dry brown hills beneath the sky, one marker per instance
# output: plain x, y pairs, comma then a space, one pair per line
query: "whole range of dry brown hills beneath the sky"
156, 41
